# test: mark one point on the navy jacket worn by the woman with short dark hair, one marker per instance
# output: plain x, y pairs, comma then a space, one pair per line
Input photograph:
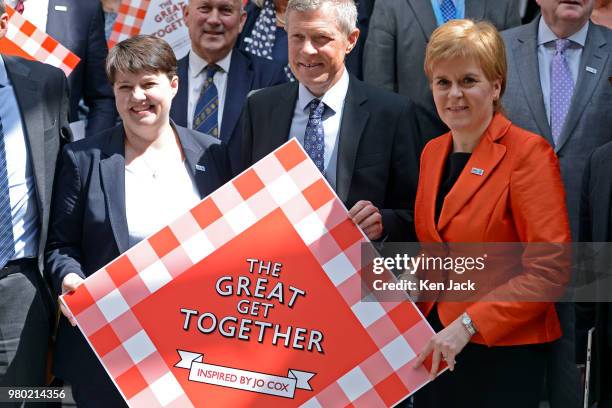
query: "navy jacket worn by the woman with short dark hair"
88, 226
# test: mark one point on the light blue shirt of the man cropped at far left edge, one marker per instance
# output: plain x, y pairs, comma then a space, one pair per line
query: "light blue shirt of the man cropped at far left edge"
24, 209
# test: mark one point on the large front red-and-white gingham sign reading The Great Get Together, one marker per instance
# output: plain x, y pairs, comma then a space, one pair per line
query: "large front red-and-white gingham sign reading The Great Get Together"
252, 298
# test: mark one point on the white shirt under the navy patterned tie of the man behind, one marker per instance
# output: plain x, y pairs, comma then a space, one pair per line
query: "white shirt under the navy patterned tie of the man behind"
197, 77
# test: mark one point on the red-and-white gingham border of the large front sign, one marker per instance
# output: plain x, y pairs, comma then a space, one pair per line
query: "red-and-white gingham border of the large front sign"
285, 179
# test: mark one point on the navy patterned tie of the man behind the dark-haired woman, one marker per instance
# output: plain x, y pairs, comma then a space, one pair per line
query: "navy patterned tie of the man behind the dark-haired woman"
206, 112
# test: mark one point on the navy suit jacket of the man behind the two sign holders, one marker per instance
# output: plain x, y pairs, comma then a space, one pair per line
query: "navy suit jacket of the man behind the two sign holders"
247, 73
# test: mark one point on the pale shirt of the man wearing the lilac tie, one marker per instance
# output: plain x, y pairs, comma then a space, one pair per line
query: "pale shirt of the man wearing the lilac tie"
546, 51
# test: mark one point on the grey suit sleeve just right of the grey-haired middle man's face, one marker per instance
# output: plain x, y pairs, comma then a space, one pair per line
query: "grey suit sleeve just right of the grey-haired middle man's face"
380, 48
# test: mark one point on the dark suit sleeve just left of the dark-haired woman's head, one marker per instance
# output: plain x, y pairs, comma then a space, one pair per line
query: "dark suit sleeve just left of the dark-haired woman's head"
97, 92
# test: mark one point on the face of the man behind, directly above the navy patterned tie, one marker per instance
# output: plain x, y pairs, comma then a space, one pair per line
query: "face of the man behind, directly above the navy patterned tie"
214, 26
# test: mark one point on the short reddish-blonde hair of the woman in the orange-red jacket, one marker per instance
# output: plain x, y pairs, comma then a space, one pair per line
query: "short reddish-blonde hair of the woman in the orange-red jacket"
468, 39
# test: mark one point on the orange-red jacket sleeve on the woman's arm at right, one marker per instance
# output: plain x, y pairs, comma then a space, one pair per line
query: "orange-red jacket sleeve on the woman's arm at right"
538, 209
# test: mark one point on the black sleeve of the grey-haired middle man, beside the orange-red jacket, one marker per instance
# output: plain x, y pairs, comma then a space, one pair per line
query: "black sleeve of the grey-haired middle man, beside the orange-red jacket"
398, 214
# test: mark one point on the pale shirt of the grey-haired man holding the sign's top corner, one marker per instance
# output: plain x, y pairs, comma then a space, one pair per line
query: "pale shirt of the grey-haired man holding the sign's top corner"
334, 102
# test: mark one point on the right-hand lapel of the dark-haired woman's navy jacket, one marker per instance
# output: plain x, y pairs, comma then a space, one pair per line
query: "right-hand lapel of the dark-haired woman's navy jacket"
203, 173
